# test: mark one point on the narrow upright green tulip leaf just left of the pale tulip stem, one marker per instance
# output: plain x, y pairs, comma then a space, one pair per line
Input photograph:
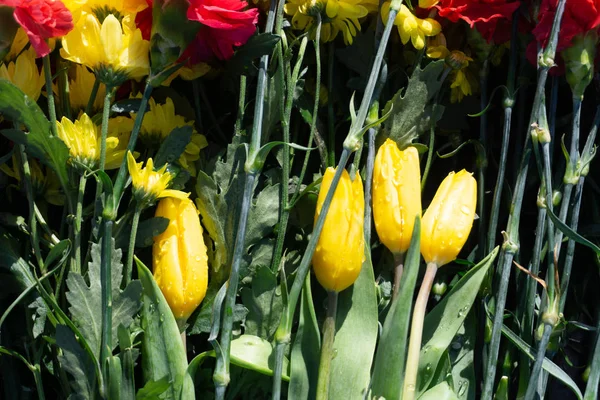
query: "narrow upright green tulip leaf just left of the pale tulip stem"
388, 372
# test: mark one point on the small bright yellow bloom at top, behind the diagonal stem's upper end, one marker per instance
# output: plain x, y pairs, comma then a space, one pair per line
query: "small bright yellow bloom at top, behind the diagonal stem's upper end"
410, 27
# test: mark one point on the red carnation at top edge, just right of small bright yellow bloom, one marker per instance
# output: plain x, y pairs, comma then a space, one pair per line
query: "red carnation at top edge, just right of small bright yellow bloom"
483, 15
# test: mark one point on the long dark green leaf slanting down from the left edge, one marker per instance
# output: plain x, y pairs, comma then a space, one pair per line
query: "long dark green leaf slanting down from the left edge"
39, 142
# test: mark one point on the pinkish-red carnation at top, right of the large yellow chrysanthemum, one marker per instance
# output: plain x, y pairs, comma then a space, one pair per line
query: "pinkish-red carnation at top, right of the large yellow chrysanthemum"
225, 26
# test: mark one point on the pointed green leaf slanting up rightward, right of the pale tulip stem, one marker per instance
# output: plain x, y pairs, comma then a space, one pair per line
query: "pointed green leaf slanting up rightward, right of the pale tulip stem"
444, 321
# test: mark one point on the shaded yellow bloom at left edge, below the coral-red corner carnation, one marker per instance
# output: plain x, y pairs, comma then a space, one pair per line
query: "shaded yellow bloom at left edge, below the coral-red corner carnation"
24, 74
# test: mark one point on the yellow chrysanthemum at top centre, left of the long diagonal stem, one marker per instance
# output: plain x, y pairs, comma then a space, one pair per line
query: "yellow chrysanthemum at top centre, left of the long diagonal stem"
336, 16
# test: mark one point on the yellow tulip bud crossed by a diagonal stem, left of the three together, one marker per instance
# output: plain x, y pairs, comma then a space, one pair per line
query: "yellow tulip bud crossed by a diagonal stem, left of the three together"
339, 254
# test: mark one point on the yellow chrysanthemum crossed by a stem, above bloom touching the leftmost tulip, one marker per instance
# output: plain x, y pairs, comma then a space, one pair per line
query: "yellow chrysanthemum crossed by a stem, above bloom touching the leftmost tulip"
83, 140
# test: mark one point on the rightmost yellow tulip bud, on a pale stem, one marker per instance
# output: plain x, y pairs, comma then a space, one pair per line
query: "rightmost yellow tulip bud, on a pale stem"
449, 218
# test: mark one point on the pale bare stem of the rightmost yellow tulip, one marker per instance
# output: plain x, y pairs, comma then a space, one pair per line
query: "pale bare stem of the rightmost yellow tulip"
416, 333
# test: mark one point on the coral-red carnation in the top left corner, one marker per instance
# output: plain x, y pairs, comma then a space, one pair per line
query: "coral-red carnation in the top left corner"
41, 19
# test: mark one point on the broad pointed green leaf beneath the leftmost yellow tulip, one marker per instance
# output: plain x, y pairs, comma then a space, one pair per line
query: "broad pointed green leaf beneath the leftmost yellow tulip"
162, 349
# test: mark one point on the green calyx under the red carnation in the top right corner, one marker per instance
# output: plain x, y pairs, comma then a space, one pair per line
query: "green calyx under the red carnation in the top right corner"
579, 62
